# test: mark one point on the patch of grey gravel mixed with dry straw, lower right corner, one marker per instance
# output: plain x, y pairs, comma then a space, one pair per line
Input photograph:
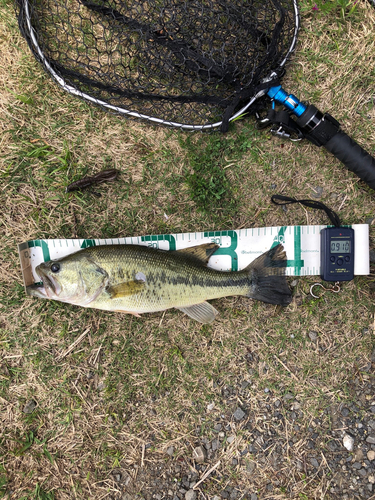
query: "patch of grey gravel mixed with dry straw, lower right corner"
259, 450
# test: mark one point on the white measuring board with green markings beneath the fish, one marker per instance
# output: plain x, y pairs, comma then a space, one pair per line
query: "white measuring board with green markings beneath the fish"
237, 248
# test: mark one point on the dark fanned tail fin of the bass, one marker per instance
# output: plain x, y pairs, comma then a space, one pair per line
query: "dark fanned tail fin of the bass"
267, 277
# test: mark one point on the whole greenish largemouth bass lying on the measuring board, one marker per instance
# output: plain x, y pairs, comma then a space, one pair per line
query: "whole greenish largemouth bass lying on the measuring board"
138, 279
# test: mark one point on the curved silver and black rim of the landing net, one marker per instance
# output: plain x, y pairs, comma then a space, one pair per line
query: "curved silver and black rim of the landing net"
32, 39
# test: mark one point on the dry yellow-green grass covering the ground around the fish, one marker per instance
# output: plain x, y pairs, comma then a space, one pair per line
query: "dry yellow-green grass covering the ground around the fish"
134, 387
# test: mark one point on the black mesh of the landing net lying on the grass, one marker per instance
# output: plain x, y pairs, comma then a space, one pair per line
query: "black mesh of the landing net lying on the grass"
186, 62
